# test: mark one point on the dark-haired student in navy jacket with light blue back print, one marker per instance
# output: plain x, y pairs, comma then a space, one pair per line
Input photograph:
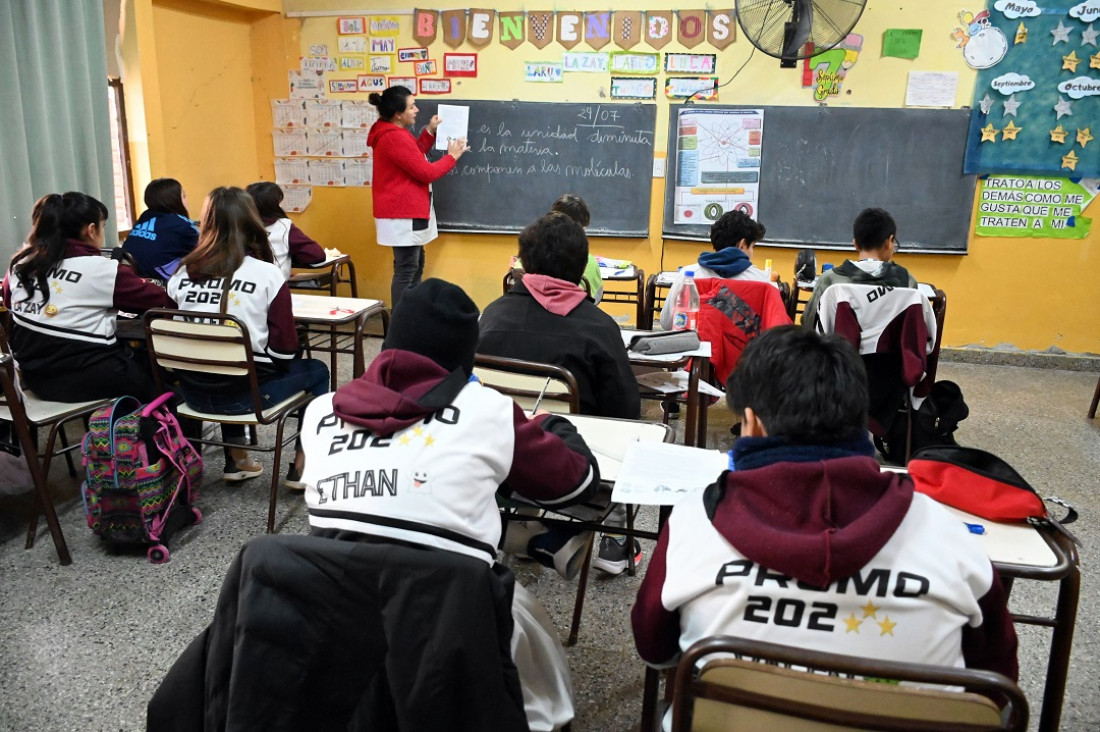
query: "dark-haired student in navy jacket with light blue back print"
164, 234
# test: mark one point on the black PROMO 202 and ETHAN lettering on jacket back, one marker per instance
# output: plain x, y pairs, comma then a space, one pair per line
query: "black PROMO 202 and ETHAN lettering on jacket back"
378, 483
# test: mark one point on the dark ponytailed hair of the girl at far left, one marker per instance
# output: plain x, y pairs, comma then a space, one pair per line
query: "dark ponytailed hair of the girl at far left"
56, 220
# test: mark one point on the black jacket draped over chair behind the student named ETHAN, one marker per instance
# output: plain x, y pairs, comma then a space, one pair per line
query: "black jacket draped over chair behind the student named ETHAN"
314, 633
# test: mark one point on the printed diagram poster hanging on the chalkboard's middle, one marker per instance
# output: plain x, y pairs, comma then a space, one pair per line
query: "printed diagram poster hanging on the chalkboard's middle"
718, 163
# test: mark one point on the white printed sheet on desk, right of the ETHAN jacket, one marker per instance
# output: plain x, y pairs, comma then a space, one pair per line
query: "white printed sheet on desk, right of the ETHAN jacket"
663, 474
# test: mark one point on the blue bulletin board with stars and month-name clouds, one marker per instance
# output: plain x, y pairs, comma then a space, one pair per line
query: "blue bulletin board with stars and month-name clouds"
1037, 106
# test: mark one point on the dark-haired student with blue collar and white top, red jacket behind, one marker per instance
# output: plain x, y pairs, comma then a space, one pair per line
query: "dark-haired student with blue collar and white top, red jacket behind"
733, 237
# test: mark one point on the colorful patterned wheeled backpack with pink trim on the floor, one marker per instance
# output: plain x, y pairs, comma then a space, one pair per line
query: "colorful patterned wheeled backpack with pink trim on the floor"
142, 476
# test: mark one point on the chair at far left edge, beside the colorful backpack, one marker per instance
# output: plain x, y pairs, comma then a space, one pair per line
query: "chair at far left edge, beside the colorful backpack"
38, 414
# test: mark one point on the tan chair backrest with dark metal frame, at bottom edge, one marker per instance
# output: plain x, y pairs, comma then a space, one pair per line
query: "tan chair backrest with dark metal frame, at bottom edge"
724, 683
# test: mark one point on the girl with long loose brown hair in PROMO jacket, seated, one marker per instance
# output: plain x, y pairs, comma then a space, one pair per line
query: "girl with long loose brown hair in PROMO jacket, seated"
234, 260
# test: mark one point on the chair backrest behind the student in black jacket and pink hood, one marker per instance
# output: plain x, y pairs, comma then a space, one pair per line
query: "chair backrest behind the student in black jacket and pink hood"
526, 381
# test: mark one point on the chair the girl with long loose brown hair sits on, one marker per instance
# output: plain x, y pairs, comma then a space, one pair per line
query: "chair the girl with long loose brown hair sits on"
221, 345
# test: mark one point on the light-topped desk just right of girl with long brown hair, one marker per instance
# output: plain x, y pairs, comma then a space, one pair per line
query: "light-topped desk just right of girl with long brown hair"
324, 315
